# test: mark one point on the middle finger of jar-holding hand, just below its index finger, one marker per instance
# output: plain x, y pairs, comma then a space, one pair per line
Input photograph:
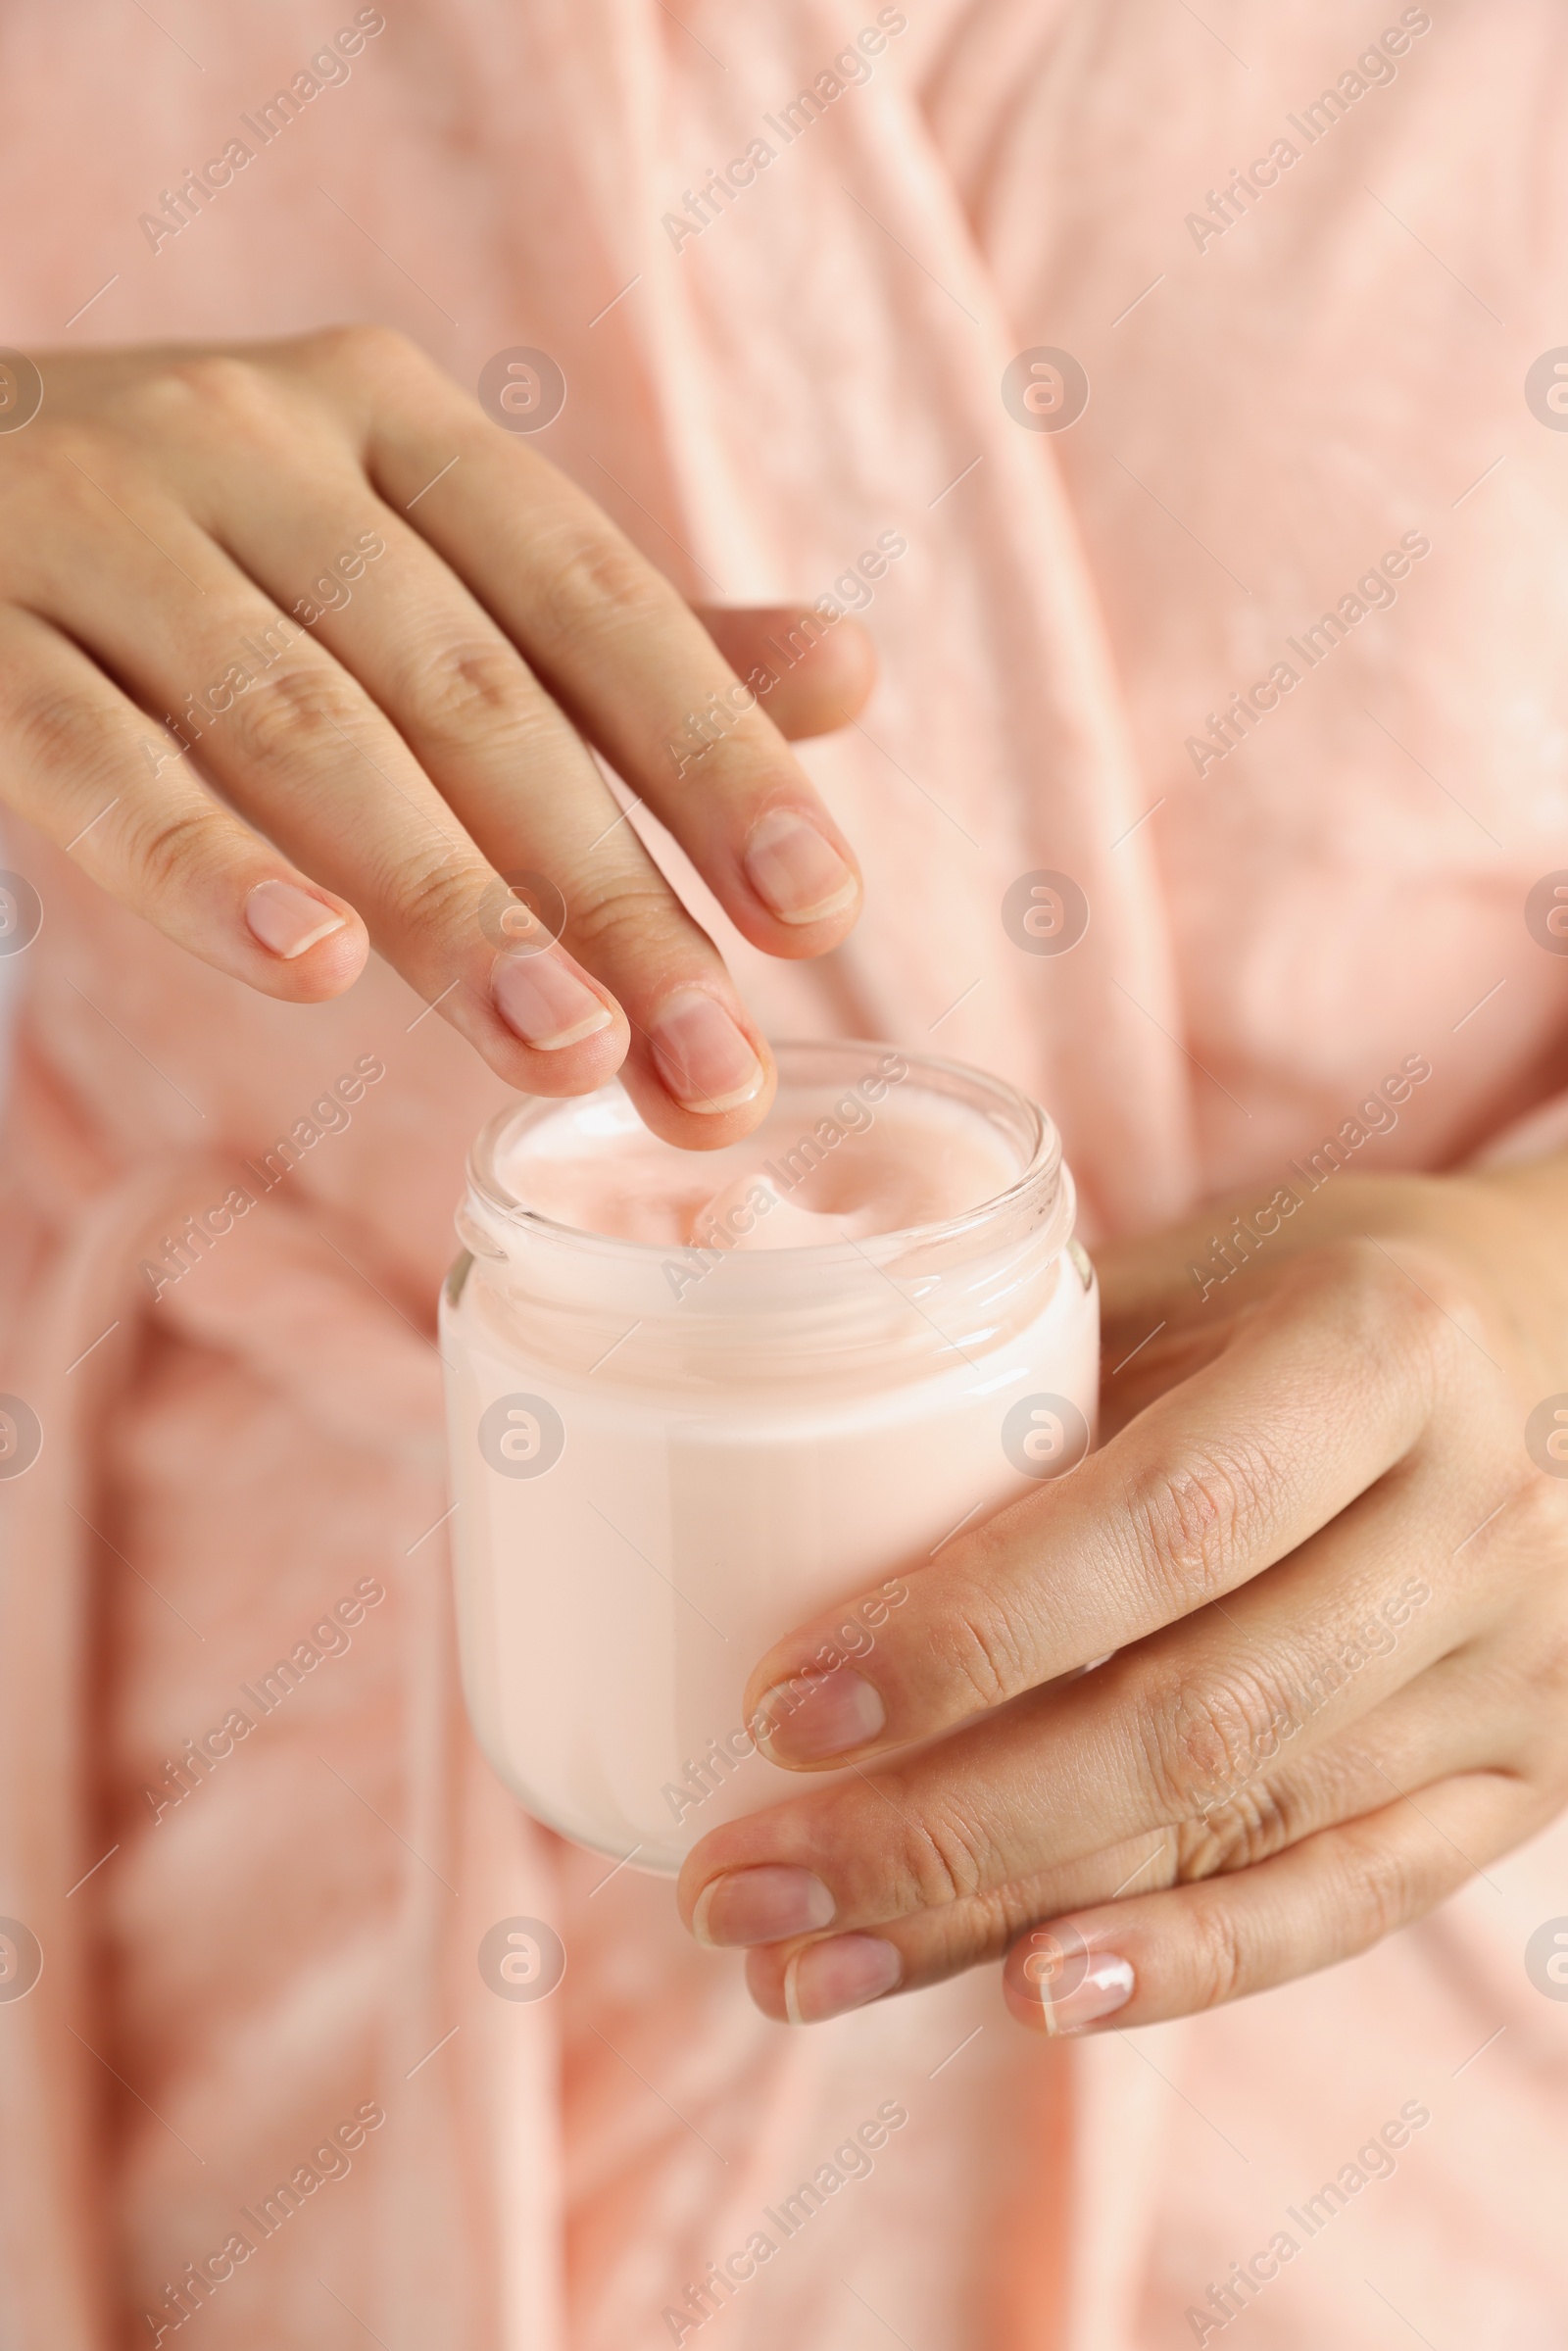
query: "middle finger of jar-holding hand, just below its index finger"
1170, 1732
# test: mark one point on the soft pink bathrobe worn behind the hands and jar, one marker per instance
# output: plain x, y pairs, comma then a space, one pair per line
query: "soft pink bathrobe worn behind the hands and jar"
297, 1938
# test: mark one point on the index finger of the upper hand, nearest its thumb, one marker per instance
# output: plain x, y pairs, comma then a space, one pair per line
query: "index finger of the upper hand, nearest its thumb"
622, 655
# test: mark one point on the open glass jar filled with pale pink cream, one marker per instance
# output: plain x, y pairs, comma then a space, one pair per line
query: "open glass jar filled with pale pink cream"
666, 1456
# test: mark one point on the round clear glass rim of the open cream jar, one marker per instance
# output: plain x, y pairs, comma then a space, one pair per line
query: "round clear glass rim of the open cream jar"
1038, 1193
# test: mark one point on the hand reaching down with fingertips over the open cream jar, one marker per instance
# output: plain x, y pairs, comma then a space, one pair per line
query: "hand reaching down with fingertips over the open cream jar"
297, 648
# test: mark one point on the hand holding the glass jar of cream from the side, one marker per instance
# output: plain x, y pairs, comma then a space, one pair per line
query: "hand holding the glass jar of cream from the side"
1336, 1583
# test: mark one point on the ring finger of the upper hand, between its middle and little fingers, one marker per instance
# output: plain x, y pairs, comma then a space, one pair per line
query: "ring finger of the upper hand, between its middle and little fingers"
302, 751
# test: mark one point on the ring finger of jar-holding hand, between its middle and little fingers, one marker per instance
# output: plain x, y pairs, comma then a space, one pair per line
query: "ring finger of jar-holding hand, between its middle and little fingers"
1454, 1720
